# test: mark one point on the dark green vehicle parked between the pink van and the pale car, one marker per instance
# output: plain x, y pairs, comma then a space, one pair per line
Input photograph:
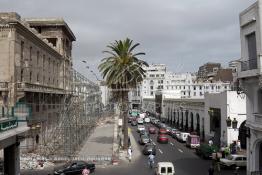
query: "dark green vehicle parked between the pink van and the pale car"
205, 151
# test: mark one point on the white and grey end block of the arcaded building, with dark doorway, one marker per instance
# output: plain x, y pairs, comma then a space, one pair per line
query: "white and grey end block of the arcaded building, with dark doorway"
220, 107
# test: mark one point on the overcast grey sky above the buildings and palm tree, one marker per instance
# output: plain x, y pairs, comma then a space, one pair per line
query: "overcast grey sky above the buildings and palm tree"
183, 34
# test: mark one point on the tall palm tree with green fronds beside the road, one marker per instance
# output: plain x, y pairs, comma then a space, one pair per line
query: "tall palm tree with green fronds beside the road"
122, 71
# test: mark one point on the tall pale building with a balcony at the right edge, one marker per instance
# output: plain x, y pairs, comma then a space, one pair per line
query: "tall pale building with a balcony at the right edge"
250, 81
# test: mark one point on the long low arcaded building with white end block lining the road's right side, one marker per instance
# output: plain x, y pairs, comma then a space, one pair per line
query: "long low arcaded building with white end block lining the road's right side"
206, 116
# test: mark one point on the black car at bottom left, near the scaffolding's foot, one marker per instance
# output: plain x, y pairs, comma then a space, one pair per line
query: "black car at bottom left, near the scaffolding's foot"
75, 167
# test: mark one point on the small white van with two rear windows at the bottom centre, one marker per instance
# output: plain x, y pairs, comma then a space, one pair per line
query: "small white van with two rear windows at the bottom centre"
165, 168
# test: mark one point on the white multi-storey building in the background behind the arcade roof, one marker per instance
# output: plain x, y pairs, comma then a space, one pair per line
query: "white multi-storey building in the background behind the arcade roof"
157, 78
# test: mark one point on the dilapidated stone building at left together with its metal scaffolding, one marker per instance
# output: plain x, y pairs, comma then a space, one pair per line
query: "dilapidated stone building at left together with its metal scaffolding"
38, 86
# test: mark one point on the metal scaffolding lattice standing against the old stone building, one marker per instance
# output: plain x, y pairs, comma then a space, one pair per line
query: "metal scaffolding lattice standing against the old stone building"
78, 115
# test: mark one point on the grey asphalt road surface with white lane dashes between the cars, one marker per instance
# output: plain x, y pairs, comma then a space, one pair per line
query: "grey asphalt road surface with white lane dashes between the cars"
186, 162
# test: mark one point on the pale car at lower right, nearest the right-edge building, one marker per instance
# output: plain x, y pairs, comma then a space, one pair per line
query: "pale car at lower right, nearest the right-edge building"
233, 161
